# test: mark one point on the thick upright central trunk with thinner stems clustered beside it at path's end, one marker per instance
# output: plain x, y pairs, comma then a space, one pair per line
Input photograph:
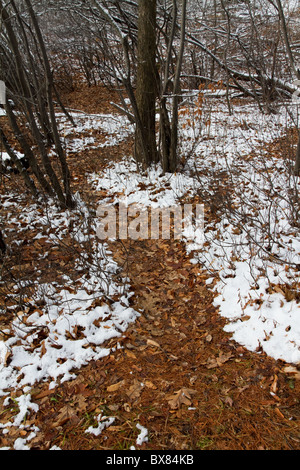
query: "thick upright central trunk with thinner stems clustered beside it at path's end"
147, 88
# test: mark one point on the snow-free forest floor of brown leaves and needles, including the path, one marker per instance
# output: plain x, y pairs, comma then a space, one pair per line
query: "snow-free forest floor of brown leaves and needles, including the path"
174, 371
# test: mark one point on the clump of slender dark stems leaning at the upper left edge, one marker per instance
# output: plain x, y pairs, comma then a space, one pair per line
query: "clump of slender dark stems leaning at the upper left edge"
29, 106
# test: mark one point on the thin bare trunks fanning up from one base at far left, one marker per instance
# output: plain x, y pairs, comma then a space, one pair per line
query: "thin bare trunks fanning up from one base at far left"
26, 88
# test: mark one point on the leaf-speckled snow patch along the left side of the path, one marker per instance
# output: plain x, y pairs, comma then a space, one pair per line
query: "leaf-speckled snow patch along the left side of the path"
69, 323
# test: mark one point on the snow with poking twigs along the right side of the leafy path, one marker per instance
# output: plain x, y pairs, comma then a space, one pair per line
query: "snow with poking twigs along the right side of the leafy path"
255, 248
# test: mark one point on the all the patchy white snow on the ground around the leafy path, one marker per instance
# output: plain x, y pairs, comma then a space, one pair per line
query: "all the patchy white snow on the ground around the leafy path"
251, 286
